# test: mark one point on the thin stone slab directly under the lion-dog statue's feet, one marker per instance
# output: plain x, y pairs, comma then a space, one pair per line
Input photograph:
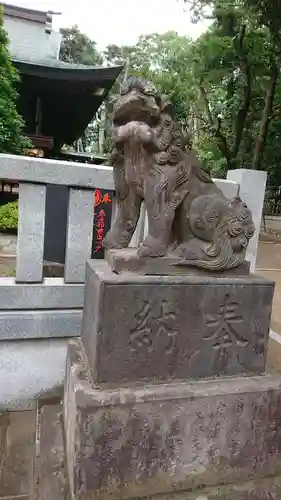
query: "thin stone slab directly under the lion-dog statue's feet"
127, 260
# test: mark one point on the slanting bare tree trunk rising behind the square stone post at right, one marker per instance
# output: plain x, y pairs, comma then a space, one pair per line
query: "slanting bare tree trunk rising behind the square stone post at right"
265, 118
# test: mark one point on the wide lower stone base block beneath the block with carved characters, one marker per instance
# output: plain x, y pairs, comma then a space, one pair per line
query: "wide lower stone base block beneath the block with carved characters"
168, 438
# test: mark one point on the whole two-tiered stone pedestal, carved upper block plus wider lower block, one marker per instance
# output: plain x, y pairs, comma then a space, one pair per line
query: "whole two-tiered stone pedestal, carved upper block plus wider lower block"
166, 393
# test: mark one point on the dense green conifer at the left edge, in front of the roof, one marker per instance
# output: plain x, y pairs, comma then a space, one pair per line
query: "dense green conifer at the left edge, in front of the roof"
12, 139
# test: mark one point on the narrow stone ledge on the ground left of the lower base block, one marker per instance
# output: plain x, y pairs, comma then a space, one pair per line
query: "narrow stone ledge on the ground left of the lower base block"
49, 476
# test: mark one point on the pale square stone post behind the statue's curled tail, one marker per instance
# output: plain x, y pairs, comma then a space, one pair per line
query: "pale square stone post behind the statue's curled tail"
252, 190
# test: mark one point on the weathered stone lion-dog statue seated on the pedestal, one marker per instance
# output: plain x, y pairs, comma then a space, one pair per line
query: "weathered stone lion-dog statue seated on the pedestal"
188, 215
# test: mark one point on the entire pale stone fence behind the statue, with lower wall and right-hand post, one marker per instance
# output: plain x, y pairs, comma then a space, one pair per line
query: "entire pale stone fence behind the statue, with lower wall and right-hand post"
34, 308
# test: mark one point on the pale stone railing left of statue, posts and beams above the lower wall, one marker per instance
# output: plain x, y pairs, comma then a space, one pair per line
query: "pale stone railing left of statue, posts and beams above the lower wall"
33, 307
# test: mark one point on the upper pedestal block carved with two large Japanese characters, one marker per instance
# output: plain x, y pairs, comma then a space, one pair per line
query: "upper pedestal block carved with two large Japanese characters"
162, 328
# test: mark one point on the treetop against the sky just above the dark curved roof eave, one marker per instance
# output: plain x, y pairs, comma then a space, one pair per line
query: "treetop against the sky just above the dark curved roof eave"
78, 48
